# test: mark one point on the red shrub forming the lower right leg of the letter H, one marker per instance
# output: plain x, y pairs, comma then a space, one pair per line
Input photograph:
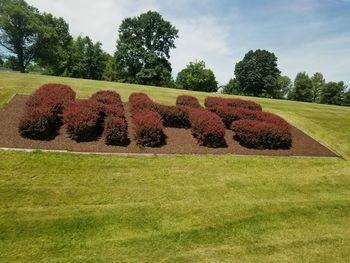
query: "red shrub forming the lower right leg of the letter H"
207, 128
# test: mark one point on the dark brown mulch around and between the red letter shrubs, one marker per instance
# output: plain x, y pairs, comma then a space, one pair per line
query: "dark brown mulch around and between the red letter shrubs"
179, 141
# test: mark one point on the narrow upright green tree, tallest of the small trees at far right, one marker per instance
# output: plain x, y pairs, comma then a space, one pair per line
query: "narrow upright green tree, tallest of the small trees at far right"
302, 90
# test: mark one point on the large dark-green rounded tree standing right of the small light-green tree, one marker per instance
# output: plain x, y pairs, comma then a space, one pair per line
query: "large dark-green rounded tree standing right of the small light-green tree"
257, 74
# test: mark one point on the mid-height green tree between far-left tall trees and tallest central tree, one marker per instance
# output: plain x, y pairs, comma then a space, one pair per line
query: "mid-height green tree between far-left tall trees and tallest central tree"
86, 59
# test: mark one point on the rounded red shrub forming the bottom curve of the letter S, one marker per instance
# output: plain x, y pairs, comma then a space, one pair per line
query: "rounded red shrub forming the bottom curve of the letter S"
261, 134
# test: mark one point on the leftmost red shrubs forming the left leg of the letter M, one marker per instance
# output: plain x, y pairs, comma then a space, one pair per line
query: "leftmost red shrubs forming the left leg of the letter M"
42, 116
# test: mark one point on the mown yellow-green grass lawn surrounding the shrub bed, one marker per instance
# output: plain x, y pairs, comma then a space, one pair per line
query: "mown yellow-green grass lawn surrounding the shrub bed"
91, 208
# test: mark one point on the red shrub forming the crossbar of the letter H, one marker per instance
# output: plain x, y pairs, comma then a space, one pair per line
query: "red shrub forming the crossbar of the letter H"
173, 116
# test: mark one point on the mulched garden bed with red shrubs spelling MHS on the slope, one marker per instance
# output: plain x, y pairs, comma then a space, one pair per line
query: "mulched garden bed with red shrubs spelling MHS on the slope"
53, 119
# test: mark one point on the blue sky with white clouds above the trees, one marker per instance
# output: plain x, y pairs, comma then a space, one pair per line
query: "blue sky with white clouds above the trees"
306, 35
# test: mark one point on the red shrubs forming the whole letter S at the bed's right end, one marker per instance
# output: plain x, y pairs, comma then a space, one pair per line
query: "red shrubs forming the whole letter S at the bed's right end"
253, 128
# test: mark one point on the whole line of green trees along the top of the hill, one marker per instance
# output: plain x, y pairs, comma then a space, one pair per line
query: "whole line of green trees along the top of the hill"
36, 41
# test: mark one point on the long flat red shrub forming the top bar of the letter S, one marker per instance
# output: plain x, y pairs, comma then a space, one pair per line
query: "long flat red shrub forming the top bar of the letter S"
211, 102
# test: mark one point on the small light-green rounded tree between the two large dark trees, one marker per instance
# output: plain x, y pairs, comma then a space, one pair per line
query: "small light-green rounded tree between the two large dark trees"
196, 77
